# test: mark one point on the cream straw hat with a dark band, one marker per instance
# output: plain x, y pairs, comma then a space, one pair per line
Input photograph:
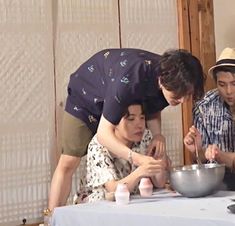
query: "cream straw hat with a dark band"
226, 58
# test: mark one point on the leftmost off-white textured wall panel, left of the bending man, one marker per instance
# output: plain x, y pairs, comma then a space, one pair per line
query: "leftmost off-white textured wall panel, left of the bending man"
26, 109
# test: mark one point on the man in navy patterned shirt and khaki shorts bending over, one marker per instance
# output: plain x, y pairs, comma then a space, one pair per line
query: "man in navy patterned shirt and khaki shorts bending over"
100, 90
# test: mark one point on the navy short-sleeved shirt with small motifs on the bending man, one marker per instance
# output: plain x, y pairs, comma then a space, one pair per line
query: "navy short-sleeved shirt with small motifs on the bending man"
110, 81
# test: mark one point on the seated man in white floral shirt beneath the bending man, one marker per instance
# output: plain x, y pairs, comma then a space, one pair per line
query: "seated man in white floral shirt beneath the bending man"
103, 171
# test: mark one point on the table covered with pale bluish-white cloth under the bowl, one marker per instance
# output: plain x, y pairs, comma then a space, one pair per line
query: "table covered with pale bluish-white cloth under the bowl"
164, 208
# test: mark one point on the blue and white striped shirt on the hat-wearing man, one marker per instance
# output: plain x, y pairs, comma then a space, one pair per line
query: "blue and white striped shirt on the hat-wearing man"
213, 119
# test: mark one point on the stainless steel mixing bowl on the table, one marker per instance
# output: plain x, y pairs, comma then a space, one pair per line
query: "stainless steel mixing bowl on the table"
197, 180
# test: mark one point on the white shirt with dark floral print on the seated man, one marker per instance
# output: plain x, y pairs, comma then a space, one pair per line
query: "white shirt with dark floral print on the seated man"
100, 167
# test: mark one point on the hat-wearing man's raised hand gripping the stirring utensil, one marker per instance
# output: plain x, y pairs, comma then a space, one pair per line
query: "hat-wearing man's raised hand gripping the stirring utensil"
191, 137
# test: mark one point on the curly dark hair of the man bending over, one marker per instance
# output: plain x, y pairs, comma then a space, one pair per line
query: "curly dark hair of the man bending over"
182, 73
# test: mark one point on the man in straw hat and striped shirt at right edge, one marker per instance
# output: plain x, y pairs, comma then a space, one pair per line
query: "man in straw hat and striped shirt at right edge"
214, 118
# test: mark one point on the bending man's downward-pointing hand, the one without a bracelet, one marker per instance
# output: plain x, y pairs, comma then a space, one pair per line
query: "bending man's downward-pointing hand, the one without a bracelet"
157, 147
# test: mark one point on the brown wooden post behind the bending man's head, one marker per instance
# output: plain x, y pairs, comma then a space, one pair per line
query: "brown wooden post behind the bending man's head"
196, 34
